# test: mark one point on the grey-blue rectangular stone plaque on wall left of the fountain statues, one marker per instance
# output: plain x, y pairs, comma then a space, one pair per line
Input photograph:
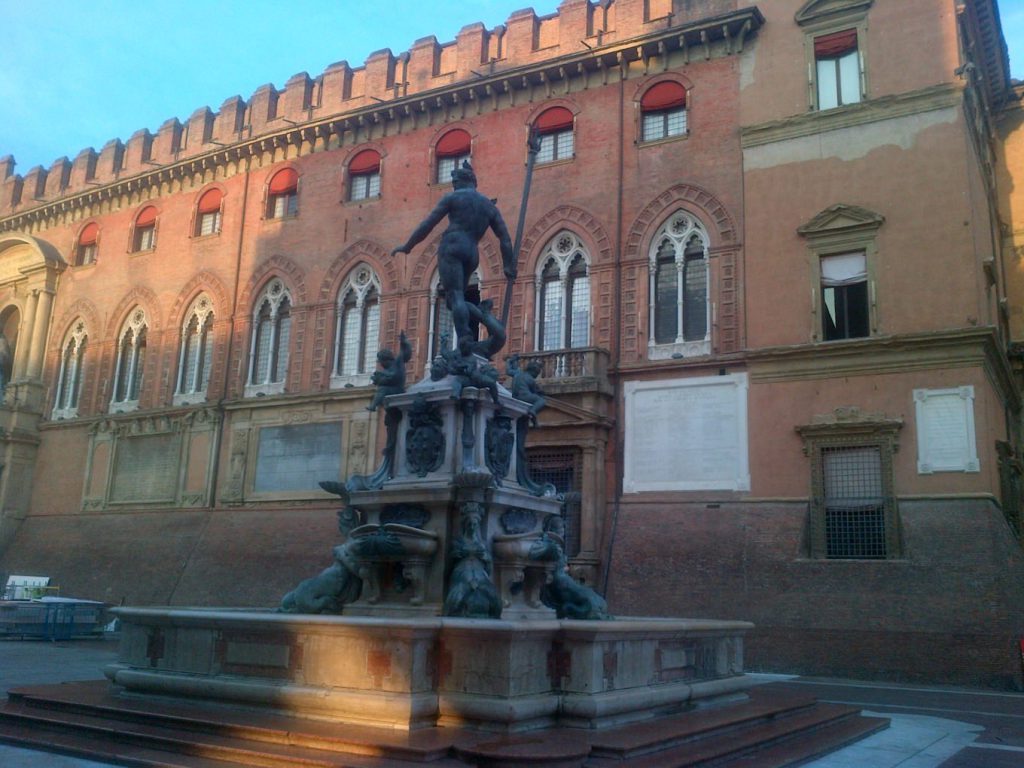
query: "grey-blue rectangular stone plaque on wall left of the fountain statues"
297, 457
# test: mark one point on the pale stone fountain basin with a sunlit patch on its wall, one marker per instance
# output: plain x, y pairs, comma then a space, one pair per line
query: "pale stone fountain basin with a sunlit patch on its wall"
409, 674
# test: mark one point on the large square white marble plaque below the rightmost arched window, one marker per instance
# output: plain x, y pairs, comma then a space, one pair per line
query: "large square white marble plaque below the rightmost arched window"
688, 435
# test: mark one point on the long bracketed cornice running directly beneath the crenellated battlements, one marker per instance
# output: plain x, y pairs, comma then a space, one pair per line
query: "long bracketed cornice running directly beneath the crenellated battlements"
717, 36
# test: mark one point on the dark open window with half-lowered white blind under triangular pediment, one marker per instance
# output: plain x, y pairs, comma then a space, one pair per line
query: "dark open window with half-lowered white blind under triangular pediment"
844, 297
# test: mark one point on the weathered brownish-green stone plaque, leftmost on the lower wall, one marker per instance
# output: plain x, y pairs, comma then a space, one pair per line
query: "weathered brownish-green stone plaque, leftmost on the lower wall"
146, 468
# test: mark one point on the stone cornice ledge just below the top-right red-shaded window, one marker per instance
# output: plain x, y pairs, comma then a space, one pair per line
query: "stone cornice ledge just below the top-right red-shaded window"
872, 111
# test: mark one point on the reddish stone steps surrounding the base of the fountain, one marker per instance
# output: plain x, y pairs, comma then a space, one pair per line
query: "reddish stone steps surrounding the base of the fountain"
94, 720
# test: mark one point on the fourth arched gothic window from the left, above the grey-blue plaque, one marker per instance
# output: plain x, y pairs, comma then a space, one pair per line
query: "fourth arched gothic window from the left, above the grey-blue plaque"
272, 334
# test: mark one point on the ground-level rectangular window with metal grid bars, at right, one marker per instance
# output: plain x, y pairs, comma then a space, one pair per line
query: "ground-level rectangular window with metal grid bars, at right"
855, 504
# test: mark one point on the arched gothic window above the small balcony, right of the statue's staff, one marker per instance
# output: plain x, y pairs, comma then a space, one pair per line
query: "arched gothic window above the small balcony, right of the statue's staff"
563, 320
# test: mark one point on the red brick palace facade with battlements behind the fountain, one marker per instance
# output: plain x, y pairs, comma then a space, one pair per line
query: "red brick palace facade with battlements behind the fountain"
769, 268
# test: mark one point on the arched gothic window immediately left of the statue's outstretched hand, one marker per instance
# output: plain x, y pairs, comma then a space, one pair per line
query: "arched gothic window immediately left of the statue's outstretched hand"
358, 328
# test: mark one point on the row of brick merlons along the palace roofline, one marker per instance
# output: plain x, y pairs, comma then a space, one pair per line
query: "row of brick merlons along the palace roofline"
477, 53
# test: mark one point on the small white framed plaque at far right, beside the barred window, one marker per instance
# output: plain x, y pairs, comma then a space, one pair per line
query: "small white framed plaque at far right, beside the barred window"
946, 431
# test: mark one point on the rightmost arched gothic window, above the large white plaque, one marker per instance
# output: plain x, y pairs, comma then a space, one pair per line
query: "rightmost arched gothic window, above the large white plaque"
678, 271
